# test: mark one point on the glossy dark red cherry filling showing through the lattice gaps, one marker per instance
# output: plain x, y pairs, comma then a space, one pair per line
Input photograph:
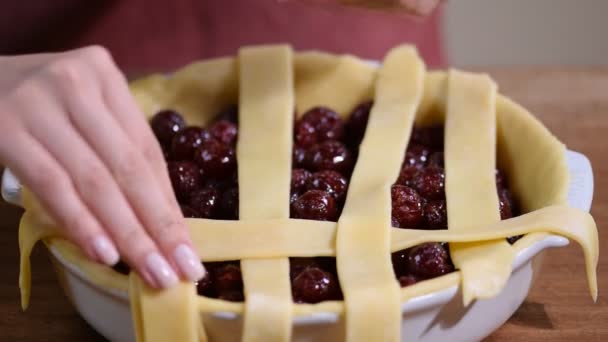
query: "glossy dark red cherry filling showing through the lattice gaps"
203, 170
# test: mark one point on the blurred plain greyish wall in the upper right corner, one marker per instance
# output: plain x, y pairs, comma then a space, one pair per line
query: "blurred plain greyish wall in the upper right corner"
523, 32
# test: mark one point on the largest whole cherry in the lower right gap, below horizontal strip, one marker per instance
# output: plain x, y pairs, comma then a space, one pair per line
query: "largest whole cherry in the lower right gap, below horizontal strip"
429, 260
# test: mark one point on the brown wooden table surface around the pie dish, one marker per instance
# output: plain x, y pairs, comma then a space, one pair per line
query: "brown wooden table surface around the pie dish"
573, 104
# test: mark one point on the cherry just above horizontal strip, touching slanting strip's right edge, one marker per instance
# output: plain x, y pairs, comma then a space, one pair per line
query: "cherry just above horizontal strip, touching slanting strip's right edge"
406, 206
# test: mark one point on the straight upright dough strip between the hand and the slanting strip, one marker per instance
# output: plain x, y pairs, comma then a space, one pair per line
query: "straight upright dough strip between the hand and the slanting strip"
266, 106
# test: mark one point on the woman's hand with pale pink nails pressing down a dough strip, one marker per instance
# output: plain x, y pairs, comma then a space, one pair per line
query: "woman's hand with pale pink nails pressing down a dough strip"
72, 133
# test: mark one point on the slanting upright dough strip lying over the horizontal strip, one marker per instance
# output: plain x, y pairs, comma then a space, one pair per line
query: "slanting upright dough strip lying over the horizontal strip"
371, 292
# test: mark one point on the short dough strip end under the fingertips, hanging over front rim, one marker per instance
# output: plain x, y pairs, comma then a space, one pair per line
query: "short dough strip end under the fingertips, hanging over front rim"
167, 315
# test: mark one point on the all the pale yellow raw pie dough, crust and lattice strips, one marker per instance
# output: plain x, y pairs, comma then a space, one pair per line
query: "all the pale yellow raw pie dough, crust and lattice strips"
268, 82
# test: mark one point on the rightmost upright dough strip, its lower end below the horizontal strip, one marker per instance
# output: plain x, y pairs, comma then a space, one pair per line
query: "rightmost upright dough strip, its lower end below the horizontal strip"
471, 195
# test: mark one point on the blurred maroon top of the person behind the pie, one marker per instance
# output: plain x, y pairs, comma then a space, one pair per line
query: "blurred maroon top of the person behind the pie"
157, 34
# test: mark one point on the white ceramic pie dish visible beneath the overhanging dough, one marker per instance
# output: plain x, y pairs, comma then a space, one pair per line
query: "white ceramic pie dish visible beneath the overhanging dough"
437, 316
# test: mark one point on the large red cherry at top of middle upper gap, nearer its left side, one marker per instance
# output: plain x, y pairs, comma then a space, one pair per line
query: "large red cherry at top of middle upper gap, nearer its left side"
326, 124
